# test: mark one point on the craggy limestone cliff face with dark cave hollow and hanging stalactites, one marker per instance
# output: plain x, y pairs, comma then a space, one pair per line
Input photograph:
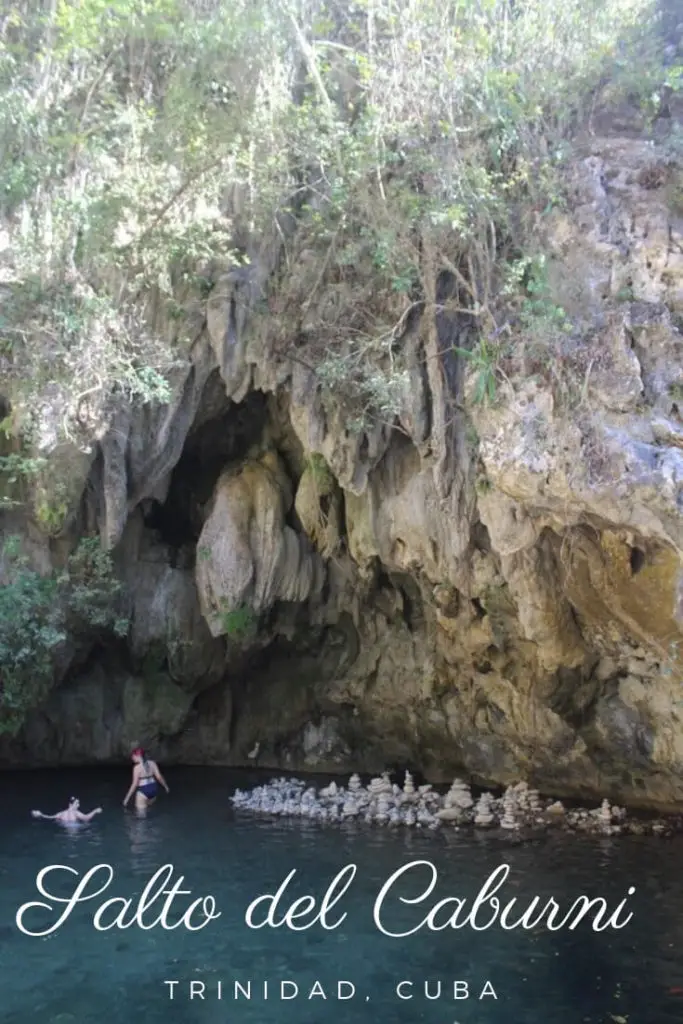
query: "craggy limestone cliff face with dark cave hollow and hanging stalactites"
497, 592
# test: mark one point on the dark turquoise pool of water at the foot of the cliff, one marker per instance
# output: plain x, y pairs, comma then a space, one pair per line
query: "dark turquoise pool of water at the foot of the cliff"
80, 975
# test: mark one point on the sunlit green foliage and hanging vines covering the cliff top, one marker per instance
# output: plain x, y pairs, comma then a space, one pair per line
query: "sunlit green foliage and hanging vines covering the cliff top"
415, 146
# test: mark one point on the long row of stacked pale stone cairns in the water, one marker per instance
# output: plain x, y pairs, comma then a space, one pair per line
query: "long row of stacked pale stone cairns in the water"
385, 803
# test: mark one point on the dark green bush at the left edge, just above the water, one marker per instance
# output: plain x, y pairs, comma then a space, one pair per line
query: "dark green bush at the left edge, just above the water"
39, 613
